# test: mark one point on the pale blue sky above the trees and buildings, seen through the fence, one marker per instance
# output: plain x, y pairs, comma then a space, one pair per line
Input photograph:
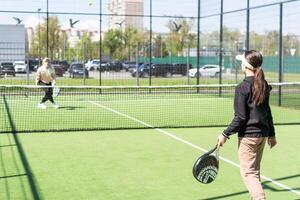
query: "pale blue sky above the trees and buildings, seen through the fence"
261, 19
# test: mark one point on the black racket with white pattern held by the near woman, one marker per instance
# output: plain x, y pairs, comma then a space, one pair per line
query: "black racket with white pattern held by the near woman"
206, 167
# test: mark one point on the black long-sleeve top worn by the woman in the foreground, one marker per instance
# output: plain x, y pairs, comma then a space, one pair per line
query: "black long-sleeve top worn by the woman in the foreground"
250, 120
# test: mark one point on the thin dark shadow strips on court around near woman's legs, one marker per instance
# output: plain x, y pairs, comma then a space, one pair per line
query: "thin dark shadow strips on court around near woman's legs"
265, 186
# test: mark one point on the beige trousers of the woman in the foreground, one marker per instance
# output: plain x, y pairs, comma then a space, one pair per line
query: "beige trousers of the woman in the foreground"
250, 154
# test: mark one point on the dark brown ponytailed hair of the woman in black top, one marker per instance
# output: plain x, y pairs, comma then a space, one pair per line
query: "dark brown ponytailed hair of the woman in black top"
260, 88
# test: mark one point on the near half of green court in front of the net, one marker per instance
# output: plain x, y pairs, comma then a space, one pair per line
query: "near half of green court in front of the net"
137, 164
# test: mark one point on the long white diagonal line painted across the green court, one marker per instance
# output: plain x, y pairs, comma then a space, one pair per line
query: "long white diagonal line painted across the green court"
191, 144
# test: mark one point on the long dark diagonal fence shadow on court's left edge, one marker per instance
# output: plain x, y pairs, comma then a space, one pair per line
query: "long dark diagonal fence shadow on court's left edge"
15, 143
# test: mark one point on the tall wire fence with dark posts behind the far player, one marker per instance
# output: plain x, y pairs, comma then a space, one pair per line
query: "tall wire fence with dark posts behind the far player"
137, 42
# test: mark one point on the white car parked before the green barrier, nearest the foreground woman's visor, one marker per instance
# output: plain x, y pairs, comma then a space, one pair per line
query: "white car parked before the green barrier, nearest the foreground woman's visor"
206, 71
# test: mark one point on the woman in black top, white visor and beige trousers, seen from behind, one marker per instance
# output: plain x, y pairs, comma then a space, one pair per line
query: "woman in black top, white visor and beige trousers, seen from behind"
252, 121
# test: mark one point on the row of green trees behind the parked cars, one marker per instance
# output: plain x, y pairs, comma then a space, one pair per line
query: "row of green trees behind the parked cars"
123, 44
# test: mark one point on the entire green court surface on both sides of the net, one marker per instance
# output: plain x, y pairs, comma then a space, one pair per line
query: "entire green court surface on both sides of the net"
136, 163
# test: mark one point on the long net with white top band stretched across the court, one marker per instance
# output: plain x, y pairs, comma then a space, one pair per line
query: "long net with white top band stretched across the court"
102, 108
